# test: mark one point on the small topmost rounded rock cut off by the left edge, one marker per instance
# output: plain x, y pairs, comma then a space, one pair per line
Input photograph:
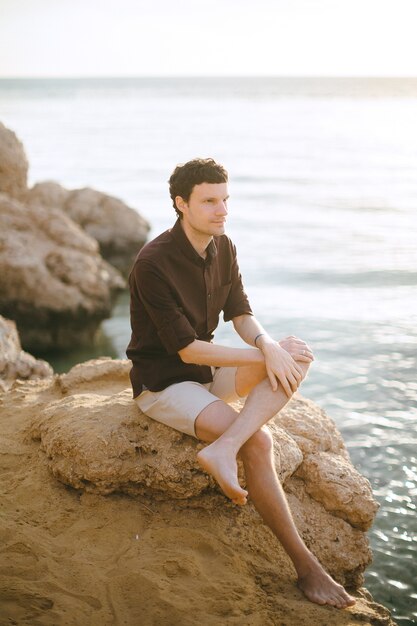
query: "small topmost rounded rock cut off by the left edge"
13, 164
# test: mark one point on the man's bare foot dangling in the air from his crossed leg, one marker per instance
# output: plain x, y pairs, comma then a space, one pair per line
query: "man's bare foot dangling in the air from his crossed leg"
223, 467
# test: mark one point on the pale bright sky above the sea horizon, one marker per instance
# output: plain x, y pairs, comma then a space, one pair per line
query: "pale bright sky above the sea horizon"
69, 38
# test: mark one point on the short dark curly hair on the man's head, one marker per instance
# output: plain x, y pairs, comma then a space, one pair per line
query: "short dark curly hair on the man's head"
184, 178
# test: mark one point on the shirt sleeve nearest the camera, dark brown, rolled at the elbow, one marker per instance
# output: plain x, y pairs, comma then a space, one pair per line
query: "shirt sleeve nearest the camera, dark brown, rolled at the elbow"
173, 328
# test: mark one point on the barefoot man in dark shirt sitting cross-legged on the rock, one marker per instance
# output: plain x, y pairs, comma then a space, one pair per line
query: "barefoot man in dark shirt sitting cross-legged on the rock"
179, 284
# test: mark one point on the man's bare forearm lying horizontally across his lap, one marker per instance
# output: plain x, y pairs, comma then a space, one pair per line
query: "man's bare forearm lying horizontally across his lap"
204, 353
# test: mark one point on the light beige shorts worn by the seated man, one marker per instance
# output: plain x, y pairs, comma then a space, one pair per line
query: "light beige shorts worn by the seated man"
180, 404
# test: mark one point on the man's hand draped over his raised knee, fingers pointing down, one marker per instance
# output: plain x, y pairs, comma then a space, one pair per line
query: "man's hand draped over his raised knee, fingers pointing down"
281, 367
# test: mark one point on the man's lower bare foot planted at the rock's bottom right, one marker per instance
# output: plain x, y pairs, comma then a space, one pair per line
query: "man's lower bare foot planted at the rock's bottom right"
320, 588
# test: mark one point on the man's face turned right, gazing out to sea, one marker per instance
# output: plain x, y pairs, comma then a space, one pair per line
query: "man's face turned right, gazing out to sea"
206, 209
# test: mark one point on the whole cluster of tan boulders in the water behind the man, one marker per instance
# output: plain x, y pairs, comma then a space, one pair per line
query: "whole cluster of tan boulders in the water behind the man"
53, 282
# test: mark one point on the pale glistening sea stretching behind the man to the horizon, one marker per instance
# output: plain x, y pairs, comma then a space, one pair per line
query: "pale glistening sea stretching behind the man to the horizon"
323, 211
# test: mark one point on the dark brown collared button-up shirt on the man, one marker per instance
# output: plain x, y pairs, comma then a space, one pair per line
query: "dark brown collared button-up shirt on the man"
176, 296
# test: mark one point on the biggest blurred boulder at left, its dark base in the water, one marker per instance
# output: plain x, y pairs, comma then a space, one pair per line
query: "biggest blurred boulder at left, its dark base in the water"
53, 282
